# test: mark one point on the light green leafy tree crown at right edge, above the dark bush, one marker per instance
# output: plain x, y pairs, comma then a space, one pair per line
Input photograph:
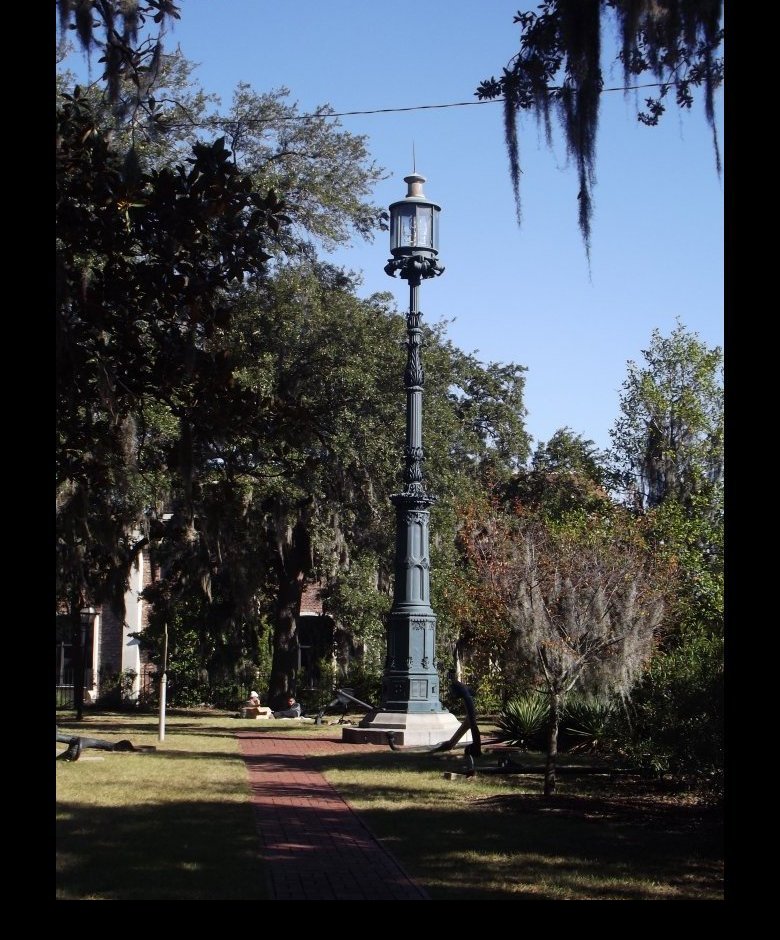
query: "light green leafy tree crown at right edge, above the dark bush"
668, 452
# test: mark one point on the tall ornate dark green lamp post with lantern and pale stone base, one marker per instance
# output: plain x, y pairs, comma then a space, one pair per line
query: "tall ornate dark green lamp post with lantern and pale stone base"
410, 683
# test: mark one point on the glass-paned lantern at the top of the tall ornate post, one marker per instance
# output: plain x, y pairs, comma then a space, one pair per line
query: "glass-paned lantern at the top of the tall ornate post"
414, 233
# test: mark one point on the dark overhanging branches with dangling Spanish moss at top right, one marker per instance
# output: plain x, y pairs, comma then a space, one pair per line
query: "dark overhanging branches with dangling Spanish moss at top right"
558, 68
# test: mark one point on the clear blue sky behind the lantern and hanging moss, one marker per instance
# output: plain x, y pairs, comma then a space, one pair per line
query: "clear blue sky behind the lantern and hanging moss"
525, 294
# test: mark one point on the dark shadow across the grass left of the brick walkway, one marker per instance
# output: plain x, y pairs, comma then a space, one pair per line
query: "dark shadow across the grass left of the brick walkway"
179, 851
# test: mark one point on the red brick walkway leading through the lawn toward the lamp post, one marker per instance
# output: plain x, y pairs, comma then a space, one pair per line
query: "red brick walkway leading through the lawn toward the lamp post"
316, 847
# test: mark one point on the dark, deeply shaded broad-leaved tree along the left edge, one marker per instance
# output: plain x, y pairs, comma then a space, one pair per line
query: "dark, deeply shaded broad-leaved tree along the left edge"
142, 259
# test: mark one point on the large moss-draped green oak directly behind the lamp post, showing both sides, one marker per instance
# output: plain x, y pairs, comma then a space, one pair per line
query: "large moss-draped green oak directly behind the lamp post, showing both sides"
317, 464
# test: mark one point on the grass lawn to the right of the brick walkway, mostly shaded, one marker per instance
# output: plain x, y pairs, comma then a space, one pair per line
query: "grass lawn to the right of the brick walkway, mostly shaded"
463, 842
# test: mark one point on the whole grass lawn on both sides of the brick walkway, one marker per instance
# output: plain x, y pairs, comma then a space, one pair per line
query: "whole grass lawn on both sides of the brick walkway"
176, 823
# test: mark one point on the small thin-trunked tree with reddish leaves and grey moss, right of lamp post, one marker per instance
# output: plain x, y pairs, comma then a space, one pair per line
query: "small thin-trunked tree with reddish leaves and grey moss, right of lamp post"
579, 606
